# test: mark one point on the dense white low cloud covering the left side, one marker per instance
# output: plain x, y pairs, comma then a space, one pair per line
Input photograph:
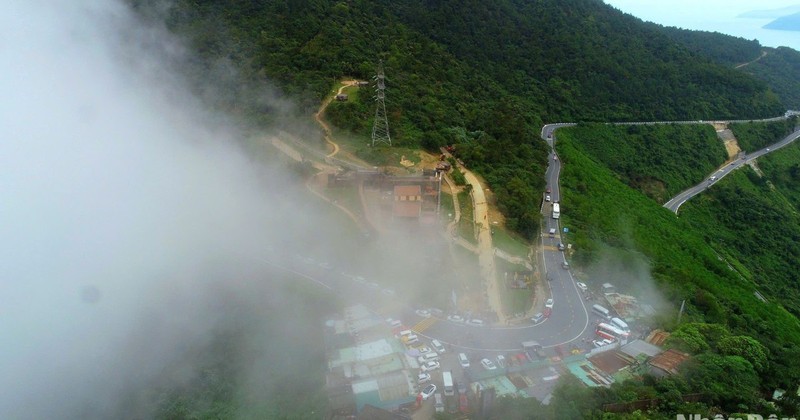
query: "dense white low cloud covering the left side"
127, 208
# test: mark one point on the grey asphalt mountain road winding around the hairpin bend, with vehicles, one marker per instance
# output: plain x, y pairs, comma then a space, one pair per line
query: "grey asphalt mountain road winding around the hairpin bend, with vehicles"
569, 320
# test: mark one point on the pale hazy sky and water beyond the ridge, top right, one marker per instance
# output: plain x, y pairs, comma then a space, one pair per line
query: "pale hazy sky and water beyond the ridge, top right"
713, 15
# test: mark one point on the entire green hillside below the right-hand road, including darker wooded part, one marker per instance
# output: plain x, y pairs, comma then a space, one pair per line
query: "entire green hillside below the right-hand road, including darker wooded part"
725, 246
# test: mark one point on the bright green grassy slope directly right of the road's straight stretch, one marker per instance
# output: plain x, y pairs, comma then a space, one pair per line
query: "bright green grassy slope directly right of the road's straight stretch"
602, 212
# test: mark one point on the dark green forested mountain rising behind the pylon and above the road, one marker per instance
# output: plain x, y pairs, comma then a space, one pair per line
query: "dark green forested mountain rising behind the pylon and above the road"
495, 69
